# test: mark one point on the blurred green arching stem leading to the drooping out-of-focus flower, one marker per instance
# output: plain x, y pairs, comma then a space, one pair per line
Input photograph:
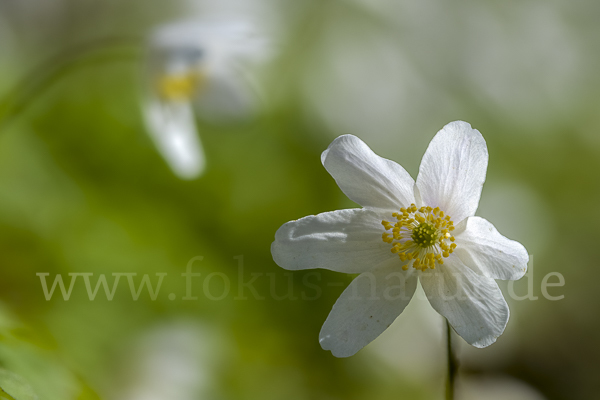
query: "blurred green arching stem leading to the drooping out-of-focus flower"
47, 73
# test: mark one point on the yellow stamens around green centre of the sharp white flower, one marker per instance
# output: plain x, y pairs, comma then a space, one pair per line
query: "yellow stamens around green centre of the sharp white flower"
420, 236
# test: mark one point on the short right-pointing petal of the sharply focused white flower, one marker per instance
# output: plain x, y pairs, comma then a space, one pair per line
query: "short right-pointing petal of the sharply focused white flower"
483, 249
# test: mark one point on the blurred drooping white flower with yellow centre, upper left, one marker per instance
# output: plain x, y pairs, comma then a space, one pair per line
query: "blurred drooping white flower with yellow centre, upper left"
200, 64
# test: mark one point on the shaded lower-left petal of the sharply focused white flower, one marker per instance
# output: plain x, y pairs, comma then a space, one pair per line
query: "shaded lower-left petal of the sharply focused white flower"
366, 308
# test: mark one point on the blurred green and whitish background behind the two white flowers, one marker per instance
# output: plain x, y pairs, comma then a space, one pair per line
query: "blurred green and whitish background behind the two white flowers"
83, 189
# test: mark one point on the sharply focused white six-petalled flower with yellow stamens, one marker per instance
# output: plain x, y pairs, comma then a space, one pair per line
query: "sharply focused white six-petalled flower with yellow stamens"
407, 232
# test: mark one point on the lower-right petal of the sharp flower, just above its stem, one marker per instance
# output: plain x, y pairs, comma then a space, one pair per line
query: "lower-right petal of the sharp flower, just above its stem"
472, 303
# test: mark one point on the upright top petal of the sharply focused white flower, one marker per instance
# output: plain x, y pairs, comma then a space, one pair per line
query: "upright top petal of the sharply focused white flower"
453, 170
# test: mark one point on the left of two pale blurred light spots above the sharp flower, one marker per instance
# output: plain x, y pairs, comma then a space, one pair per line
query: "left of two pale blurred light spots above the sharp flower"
361, 80
